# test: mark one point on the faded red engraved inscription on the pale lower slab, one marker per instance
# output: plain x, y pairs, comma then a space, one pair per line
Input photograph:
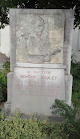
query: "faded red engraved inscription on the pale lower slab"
45, 85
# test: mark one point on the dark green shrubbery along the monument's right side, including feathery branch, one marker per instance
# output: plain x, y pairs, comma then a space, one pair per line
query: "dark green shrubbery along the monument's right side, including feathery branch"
72, 121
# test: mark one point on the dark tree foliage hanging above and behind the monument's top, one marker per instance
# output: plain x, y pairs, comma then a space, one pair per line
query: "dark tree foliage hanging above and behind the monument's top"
39, 4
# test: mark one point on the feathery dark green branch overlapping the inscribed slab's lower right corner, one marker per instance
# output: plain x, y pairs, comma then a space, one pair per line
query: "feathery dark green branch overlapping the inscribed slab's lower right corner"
64, 110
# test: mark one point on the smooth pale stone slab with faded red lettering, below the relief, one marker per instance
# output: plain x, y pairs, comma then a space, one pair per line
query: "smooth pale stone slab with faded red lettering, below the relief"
35, 89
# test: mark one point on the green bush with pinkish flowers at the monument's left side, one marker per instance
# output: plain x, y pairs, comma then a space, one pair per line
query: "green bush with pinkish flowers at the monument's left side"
3, 81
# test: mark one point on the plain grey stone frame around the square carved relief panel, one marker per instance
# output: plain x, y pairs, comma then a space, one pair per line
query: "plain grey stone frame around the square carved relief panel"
67, 42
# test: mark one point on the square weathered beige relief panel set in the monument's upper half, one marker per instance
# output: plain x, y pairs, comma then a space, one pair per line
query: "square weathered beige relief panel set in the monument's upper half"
40, 38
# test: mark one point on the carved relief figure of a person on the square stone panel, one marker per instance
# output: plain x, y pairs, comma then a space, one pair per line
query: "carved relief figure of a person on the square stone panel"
38, 40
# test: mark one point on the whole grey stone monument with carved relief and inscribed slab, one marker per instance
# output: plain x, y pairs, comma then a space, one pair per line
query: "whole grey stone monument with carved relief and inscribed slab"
40, 59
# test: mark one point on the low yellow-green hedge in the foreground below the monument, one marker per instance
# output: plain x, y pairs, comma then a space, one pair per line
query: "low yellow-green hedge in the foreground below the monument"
29, 129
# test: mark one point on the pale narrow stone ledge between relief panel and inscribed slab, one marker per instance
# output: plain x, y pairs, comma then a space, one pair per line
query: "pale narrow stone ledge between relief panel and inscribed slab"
49, 66
